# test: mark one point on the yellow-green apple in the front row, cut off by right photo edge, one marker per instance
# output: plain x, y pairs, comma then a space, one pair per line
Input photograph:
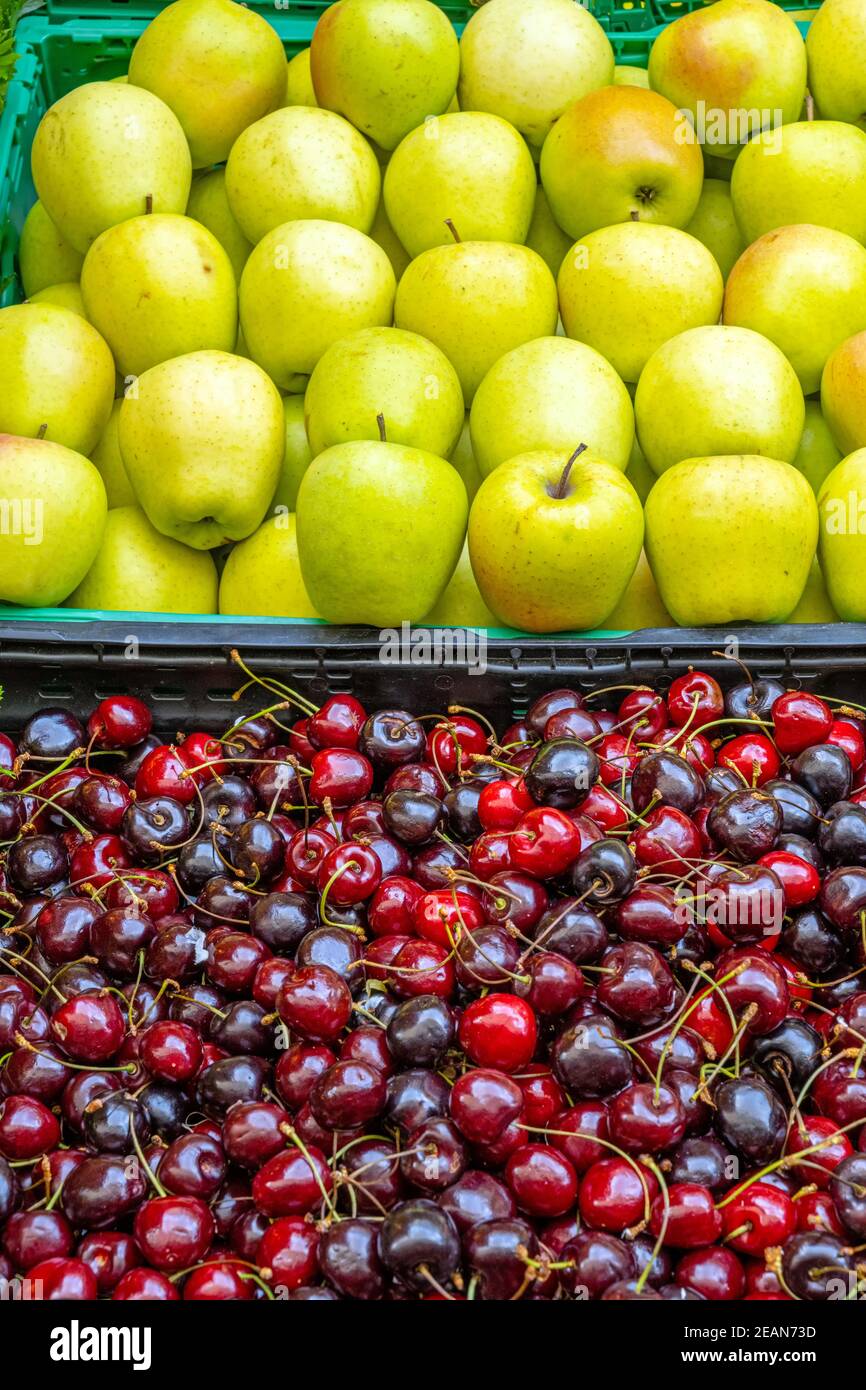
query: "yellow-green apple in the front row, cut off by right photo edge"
842, 544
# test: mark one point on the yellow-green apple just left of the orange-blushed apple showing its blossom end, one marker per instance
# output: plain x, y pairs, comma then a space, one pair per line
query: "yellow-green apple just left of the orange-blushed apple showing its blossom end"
469, 169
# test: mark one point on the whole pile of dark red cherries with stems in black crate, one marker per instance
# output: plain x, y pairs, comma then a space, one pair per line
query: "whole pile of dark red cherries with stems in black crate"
389, 1006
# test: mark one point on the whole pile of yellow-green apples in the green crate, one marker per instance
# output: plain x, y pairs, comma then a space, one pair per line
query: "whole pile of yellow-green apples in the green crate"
477, 330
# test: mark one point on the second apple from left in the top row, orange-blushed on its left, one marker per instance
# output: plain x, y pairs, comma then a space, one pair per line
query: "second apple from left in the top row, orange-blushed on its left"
384, 65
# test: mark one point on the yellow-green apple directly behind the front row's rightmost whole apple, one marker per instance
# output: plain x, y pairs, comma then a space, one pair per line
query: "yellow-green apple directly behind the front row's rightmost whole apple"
714, 391
